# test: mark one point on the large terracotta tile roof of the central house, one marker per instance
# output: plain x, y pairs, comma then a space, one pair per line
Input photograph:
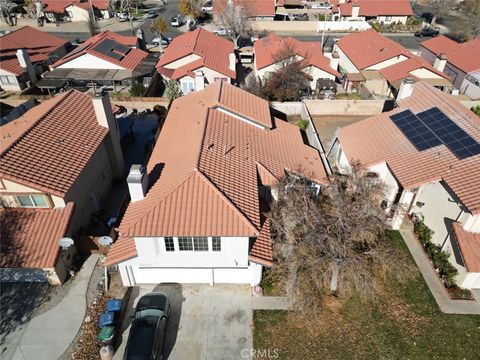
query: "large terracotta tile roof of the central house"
204, 167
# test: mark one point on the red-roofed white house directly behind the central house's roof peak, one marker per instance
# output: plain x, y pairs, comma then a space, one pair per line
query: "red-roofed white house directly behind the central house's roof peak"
197, 58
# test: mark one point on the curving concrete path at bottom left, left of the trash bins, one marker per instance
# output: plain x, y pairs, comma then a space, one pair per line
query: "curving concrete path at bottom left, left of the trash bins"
48, 335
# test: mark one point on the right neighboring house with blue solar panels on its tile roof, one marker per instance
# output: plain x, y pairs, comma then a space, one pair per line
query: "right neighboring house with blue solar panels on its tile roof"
427, 153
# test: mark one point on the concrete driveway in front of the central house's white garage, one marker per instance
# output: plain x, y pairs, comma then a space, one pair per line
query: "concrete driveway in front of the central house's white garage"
206, 322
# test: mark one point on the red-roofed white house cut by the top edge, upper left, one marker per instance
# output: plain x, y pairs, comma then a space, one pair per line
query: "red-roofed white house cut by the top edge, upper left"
71, 10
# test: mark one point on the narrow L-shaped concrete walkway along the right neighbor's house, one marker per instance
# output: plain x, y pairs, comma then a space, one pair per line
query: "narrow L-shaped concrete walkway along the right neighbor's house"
437, 289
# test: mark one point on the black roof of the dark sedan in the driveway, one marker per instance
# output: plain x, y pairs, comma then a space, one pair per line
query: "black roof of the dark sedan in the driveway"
141, 338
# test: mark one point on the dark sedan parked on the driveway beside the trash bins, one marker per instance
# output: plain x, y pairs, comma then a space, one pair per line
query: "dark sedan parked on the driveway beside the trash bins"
145, 341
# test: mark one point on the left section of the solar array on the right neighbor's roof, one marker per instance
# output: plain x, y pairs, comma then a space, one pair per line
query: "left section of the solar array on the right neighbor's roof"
415, 131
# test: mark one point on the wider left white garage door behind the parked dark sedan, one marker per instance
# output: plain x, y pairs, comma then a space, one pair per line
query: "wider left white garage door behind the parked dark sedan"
149, 275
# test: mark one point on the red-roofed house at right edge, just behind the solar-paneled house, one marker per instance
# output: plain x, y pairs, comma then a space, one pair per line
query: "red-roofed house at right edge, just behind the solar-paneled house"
460, 62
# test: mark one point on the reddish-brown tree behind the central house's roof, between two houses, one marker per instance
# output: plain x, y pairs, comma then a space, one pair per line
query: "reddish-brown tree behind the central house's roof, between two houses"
290, 78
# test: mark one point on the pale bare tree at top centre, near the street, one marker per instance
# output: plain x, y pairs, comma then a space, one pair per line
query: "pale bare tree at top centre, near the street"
234, 19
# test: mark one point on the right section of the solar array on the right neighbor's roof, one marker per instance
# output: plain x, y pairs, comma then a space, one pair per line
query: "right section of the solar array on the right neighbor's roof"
454, 137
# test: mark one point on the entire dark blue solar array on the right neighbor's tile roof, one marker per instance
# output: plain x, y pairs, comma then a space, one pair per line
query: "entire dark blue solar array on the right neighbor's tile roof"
431, 128
